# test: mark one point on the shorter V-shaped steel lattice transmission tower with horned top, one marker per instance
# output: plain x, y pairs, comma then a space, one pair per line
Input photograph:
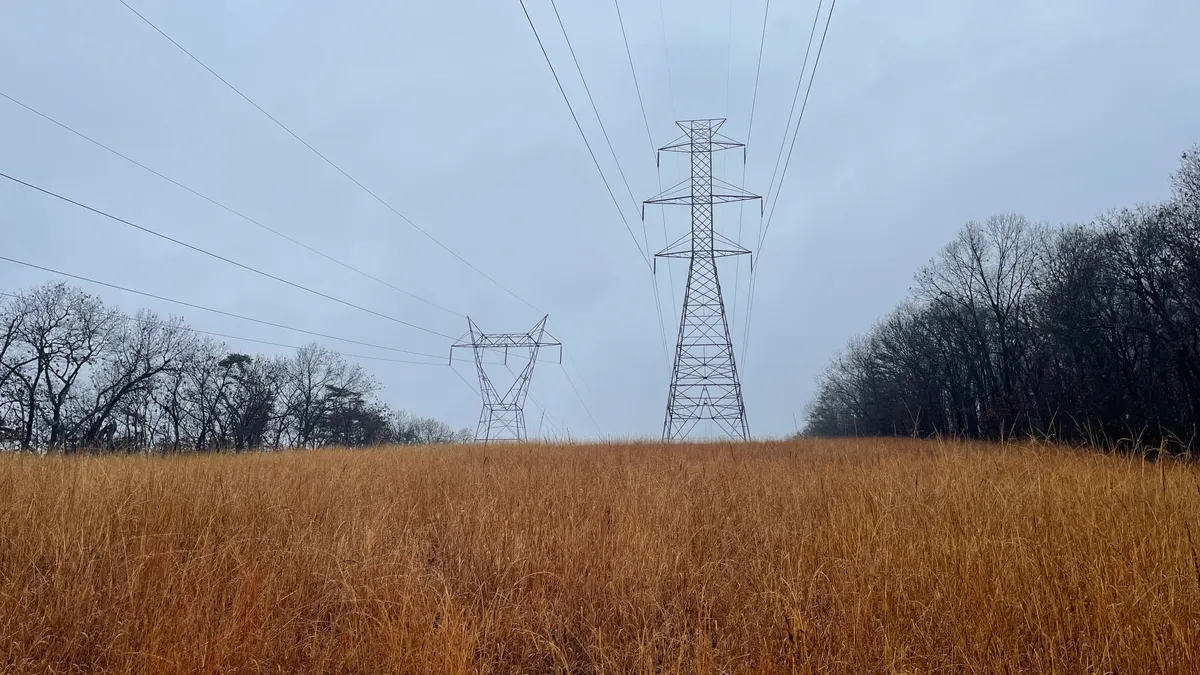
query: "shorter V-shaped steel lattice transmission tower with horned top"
503, 416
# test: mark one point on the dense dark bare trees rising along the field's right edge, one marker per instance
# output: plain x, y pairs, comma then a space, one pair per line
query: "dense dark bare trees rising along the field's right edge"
1083, 333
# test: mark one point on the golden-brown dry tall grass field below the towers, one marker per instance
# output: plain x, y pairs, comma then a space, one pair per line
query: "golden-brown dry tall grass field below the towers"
813, 557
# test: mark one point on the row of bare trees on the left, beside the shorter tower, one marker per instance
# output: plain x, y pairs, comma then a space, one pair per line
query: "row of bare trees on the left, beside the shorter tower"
77, 374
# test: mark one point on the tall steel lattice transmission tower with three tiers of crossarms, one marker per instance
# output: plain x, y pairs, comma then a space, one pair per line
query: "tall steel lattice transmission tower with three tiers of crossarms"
705, 380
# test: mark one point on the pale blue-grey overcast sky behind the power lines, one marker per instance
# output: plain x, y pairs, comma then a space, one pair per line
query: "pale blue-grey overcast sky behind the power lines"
923, 116
